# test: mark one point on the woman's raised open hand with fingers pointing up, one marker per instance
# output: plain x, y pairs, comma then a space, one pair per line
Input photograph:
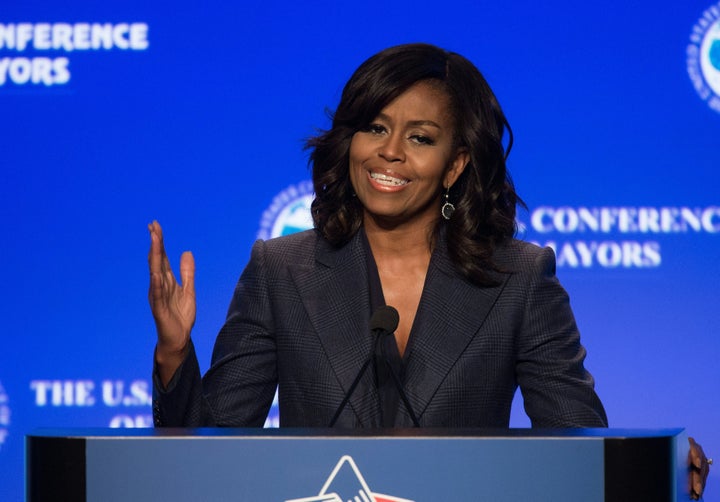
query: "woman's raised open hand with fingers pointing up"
173, 305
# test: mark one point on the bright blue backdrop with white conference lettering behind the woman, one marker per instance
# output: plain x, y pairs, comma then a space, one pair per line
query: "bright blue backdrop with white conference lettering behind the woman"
113, 114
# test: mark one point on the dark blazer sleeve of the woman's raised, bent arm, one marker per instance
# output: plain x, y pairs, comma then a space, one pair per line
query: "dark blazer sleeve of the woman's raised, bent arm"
238, 389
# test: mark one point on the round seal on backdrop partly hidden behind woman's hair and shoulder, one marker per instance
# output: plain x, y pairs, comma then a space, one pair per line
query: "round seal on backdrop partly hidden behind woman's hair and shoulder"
289, 212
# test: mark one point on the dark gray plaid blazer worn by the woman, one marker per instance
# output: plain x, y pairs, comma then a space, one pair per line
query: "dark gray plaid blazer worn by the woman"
299, 321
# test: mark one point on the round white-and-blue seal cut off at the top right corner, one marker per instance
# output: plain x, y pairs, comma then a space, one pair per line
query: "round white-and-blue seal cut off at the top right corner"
703, 57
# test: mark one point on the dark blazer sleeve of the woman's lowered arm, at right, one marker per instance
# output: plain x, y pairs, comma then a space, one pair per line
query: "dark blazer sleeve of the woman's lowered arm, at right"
557, 389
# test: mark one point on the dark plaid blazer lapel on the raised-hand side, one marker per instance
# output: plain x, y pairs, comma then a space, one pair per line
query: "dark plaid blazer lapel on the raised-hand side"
336, 297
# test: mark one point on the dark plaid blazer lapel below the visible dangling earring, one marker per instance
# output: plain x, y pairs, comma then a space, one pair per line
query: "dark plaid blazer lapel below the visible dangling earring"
451, 314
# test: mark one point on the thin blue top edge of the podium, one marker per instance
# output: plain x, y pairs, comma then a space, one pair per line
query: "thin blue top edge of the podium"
318, 433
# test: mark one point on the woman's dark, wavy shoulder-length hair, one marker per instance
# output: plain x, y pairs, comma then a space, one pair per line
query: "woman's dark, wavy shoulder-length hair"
484, 196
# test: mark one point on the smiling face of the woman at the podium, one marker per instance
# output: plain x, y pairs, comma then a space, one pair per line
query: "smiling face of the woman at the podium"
402, 163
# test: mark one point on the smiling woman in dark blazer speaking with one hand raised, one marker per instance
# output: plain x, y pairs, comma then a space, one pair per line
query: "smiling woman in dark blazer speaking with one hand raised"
414, 208
